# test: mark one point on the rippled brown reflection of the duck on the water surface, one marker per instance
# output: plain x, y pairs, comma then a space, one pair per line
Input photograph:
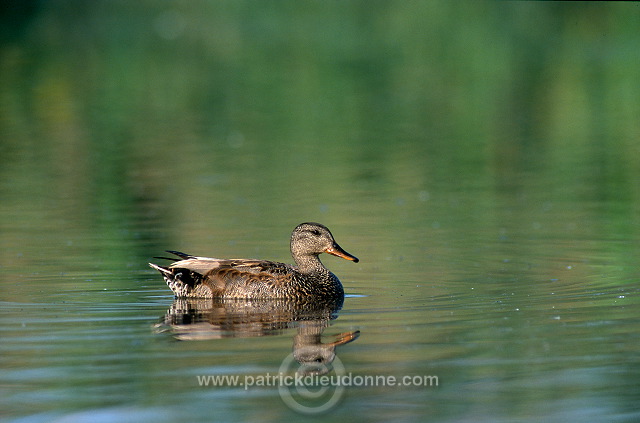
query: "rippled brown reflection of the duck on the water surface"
203, 319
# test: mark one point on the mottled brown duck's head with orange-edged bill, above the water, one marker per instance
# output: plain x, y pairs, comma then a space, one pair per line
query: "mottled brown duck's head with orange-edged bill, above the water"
312, 239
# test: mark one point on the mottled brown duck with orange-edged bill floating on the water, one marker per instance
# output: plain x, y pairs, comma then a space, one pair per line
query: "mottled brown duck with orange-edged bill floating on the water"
206, 277
